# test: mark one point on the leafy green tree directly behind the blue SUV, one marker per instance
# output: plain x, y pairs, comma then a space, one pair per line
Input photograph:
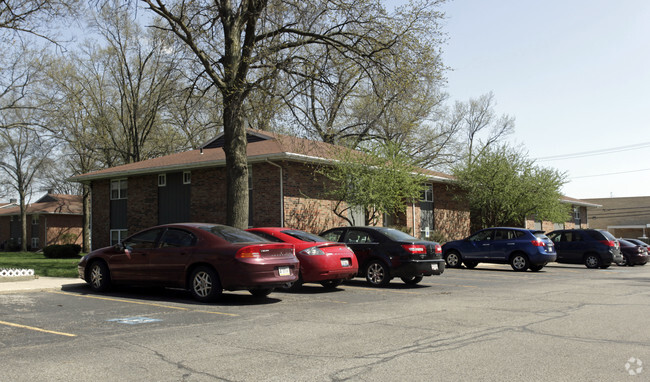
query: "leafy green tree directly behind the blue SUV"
505, 187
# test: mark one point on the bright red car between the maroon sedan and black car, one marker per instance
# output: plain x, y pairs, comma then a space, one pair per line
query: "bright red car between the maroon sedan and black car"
321, 261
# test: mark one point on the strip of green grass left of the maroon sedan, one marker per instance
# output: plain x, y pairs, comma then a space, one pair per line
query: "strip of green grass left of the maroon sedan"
41, 265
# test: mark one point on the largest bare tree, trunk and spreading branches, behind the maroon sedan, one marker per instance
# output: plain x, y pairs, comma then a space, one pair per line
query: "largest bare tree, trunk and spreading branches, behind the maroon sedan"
238, 44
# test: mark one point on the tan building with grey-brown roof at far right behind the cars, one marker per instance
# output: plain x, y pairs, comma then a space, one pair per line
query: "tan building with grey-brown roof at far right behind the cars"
623, 217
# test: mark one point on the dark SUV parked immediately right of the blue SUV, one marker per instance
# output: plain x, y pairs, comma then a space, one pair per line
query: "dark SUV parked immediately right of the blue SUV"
594, 248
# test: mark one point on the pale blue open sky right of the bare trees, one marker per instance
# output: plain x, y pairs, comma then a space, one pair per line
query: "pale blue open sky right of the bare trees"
575, 75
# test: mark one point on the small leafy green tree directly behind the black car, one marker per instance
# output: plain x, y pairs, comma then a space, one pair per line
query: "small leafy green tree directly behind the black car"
380, 180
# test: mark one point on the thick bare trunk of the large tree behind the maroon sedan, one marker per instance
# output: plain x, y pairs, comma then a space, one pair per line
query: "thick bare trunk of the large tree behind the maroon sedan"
236, 163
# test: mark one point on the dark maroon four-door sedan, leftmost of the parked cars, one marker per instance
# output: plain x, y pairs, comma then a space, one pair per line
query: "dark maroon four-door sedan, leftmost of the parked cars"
204, 258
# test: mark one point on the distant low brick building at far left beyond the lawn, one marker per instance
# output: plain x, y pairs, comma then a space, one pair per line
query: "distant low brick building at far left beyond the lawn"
52, 219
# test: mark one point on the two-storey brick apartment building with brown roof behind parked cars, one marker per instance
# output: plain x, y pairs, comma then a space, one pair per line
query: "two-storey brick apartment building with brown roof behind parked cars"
285, 190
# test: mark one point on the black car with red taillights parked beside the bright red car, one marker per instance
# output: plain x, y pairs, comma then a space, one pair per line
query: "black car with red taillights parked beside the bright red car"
384, 253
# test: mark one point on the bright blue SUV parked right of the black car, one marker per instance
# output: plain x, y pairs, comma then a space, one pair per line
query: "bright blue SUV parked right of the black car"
521, 248
